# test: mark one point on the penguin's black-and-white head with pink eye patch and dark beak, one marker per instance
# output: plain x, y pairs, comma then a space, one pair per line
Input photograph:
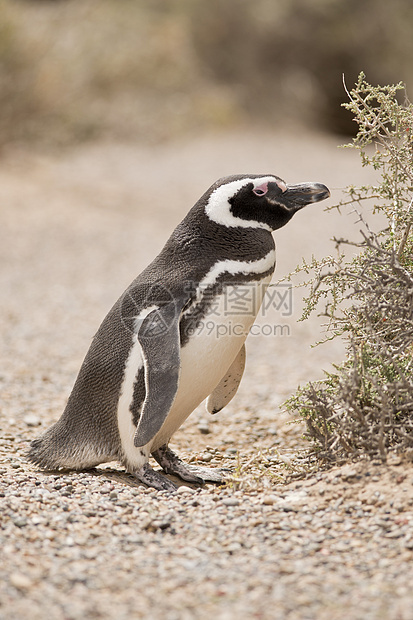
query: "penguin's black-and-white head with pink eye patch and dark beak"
257, 201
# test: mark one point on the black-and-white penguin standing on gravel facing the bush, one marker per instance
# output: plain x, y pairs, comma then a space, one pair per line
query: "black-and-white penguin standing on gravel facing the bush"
166, 345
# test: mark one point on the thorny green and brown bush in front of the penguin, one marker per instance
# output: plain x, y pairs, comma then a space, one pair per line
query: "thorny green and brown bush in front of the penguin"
365, 406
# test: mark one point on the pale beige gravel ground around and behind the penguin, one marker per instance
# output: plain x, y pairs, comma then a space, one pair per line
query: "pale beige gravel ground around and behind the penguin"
276, 543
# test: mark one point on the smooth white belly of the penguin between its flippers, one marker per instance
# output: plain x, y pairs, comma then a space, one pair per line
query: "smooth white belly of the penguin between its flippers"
211, 349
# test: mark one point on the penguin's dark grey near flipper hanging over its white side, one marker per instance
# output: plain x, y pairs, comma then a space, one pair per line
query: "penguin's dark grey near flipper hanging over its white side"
159, 338
